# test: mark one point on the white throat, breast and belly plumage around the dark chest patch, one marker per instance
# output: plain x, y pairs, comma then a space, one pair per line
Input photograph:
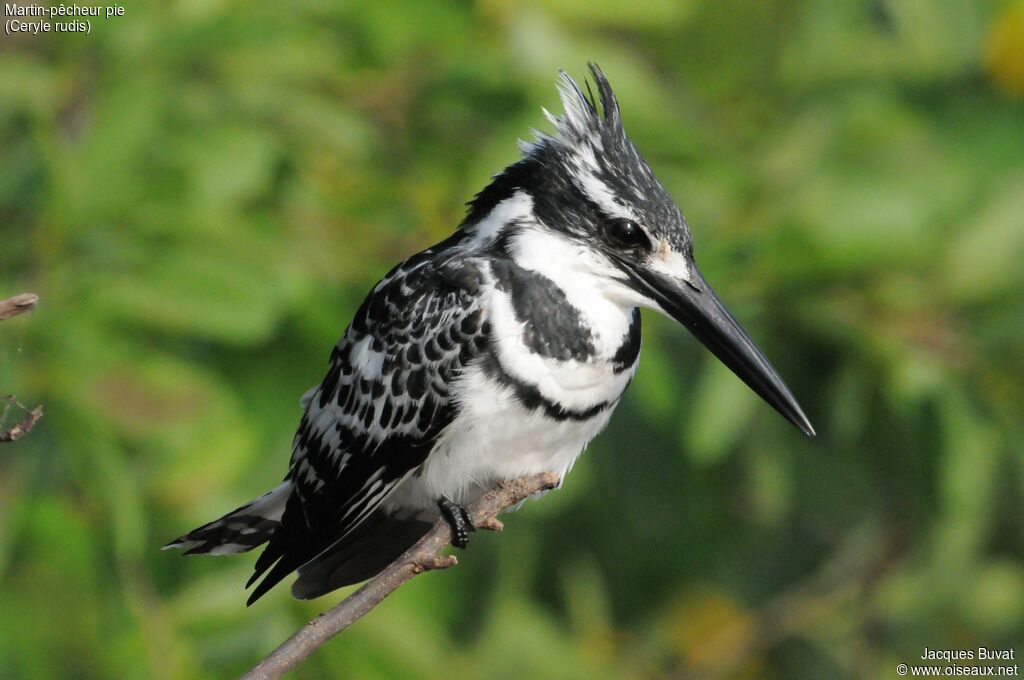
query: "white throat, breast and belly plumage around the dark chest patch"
495, 438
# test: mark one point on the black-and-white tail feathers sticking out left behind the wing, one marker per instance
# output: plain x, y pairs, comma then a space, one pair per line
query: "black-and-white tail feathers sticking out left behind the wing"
241, 530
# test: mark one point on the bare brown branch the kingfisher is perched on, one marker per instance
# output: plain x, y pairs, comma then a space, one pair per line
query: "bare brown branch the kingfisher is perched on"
424, 557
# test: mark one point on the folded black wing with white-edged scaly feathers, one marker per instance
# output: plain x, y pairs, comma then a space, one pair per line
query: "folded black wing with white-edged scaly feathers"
381, 408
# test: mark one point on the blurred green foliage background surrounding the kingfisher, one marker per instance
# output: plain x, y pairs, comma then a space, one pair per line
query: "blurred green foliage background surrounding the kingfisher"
202, 192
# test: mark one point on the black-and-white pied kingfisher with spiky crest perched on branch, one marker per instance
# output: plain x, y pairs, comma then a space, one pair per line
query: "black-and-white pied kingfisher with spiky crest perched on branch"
499, 353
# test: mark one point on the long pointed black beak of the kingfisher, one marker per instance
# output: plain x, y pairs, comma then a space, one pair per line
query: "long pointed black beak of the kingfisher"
697, 307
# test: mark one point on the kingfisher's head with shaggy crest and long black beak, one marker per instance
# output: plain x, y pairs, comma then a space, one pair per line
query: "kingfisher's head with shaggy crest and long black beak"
592, 205
